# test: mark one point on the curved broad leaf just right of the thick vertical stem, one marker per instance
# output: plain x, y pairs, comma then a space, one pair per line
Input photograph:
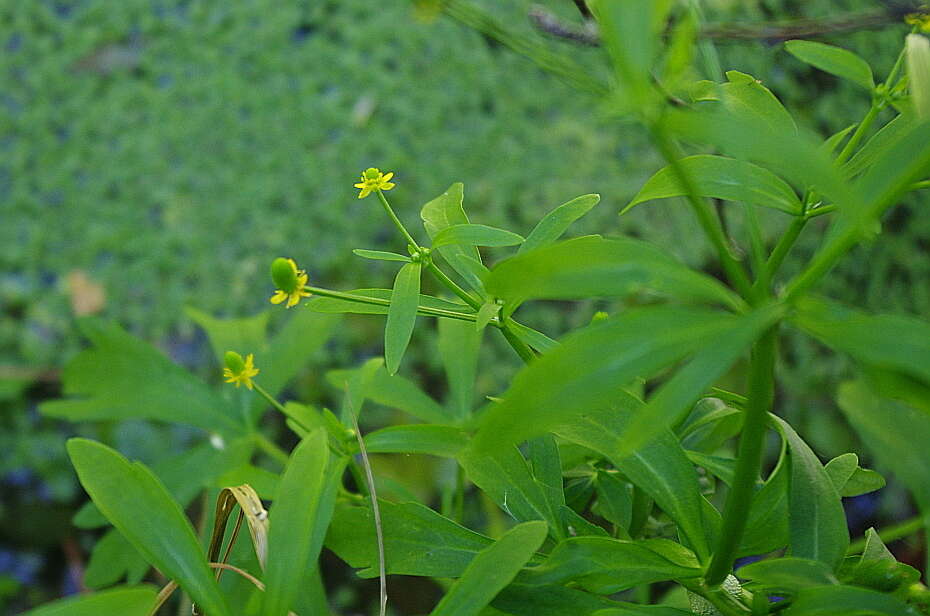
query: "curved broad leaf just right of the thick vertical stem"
816, 520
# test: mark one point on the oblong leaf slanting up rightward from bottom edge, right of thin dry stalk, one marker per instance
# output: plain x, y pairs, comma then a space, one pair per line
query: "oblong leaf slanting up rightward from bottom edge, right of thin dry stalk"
491, 570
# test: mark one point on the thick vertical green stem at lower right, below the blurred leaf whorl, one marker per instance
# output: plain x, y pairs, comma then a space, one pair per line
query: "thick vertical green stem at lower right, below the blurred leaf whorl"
749, 460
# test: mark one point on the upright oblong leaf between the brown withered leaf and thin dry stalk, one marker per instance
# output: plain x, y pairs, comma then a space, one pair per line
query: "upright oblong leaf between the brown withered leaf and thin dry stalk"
291, 548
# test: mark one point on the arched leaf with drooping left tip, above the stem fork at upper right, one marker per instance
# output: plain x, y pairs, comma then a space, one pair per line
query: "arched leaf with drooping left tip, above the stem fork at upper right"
722, 178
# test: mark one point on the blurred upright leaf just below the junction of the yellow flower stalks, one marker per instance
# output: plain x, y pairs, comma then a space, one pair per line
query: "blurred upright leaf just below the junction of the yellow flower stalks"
459, 344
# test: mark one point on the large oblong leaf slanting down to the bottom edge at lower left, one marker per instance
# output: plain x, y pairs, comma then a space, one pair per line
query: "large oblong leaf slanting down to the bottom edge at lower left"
139, 506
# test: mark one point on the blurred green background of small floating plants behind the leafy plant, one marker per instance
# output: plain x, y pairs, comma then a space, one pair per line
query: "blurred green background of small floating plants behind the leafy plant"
159, 154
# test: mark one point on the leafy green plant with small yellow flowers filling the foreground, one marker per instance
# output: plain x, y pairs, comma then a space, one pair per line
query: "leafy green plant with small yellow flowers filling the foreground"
612, 485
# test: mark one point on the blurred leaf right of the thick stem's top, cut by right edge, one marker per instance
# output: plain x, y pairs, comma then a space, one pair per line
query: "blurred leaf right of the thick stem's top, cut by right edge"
888, 341
